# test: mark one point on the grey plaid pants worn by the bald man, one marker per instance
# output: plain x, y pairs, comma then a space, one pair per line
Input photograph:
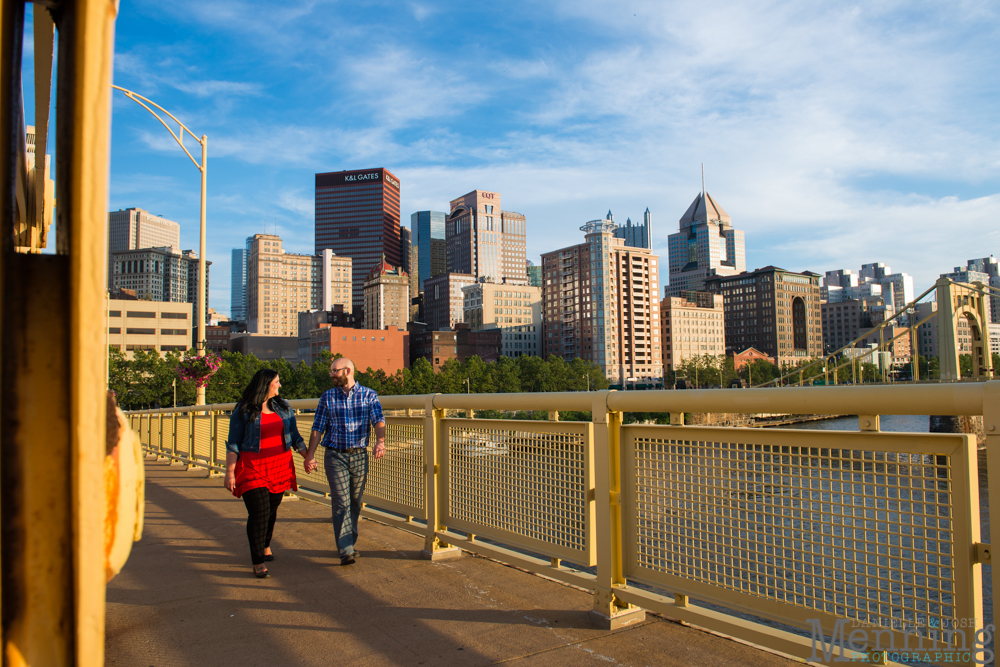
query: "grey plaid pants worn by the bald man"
346, 472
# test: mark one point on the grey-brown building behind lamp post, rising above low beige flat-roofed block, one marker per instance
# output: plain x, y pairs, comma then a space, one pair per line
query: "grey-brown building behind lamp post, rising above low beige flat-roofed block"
158, 274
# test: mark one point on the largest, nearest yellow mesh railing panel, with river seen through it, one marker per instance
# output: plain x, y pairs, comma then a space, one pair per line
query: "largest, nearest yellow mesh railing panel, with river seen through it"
852, 532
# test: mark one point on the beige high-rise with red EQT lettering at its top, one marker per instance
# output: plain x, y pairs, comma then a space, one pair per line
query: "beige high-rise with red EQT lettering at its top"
485, 241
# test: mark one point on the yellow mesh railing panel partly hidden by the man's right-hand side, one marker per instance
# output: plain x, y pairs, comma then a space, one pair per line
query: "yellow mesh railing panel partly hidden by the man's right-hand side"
397, 480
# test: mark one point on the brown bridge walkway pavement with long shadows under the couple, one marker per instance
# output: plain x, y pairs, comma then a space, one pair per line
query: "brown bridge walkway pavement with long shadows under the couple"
187, 597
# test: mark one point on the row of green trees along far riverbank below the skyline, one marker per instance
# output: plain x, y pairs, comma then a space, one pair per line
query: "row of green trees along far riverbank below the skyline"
150, 381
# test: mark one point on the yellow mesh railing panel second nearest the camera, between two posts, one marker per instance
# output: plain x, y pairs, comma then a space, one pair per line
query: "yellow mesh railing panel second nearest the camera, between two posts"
522, 483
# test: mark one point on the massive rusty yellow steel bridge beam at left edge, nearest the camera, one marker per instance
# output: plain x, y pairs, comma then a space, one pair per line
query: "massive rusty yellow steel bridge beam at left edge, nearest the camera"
53, 384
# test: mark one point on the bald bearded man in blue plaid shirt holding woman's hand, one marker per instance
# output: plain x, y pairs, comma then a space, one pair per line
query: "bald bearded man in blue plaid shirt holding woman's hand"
344, 417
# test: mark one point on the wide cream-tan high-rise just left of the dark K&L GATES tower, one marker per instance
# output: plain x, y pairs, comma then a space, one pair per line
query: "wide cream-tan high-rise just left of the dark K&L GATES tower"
280, 285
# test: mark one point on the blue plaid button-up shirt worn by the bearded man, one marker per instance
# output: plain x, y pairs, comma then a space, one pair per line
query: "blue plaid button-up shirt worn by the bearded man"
346, 419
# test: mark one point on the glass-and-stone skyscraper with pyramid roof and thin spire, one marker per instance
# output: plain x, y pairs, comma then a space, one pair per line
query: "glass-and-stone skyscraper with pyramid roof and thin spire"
707, 245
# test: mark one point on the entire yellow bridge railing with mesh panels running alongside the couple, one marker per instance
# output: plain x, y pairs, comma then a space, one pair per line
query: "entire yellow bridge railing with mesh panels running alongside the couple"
868, 542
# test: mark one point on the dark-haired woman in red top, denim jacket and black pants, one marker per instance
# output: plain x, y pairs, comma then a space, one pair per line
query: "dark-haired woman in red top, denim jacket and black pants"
259, 467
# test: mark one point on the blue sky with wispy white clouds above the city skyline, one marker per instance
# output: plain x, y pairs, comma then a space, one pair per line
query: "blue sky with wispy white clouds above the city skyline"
833, 134
